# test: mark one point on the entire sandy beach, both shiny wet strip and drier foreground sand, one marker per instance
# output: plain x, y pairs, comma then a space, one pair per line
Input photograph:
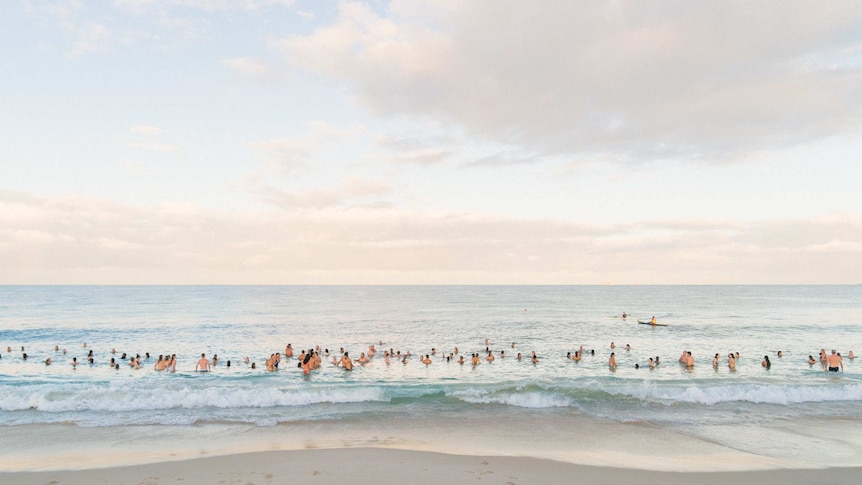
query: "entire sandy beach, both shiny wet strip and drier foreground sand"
546, 449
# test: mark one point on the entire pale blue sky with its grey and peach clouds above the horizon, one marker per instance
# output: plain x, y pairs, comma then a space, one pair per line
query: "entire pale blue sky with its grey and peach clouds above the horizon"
430, 142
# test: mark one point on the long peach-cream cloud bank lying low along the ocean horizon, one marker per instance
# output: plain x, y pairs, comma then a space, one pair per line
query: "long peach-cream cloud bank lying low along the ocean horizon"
89, 240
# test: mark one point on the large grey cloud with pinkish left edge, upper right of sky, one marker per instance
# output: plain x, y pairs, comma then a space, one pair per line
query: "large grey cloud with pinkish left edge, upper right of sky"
626, 81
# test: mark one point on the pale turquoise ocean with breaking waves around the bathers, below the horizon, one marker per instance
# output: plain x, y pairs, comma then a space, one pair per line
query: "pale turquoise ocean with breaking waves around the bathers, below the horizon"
792, 412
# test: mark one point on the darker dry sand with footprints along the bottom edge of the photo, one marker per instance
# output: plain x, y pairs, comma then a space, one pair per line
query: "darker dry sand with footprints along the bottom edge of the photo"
403, 466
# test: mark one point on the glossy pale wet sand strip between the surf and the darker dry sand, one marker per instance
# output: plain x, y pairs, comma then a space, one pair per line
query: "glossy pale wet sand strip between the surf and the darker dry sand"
559, 437
